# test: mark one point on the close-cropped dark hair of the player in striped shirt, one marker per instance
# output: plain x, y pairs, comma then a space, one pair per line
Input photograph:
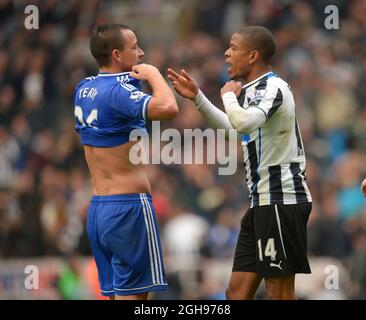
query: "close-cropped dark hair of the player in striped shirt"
261, 39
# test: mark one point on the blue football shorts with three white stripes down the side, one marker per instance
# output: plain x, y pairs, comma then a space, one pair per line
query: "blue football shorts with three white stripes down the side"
124, 239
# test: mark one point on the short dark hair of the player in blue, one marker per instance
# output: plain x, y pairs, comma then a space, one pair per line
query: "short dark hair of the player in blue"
104, 39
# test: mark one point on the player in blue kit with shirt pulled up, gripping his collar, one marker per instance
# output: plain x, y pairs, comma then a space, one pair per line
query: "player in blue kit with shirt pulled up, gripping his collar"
122, 226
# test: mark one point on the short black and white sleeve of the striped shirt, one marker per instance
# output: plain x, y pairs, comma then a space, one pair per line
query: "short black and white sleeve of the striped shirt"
268, 99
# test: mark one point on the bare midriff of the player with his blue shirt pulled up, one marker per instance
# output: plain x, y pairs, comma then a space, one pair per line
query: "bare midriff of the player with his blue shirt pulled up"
113, 173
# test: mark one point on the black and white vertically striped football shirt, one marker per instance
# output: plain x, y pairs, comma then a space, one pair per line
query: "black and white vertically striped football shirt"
274, 153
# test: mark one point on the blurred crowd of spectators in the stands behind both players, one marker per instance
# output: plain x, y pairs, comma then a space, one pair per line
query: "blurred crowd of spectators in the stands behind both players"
44, 183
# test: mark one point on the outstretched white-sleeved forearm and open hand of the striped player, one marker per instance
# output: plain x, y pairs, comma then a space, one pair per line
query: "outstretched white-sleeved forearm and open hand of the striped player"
186, 87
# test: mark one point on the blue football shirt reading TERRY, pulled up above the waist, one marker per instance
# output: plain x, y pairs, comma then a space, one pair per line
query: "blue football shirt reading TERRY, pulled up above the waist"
108, 107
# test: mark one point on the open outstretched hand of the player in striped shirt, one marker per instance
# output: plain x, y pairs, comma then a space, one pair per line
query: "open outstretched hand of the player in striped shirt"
183, 83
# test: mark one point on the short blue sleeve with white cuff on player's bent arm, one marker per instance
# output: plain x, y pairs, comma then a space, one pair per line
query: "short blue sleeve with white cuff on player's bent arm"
129, 102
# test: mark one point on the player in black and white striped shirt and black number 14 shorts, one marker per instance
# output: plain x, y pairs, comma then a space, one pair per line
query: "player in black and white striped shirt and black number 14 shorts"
272, 243
